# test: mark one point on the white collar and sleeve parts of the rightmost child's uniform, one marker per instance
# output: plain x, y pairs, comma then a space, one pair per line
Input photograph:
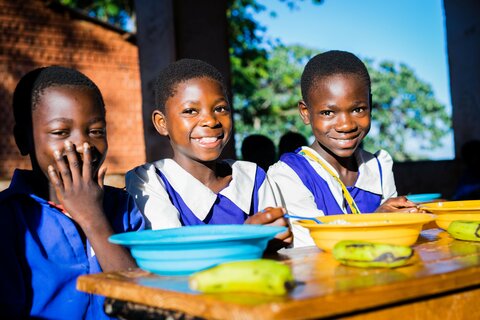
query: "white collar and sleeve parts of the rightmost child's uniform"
299, 200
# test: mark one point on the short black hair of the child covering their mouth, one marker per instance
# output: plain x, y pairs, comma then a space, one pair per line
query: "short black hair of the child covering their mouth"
32, 85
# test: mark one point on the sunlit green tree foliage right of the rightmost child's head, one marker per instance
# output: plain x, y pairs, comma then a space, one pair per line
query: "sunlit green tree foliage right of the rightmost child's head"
404, 107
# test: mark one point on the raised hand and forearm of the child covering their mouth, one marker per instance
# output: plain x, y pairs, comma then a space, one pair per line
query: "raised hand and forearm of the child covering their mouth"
82, 197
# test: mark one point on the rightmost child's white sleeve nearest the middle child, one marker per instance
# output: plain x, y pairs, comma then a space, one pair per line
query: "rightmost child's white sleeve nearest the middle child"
295, 198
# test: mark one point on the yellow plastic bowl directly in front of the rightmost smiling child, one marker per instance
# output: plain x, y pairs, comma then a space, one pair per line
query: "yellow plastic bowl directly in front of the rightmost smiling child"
390, 228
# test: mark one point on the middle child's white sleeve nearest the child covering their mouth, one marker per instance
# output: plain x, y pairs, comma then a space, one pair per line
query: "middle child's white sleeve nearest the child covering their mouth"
151, 197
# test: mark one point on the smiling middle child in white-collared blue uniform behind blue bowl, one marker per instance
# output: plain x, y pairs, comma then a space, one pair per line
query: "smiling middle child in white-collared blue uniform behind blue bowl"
195, 187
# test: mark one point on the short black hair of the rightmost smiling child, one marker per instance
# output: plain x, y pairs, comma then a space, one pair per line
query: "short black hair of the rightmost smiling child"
331, 63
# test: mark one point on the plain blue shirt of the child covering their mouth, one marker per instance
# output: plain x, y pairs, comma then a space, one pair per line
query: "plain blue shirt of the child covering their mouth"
43, 253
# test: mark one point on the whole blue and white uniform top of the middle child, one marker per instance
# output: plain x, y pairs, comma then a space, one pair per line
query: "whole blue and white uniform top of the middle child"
170, 197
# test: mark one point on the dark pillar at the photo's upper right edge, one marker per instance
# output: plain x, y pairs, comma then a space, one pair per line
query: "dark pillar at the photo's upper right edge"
463, 42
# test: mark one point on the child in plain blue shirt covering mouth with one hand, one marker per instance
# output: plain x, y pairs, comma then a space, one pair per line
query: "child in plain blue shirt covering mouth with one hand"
57, 217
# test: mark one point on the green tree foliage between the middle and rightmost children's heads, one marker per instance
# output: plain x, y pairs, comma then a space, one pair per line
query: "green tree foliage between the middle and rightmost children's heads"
271, 109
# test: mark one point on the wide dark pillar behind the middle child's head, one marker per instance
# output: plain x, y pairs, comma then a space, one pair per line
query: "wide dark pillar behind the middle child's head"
171, 30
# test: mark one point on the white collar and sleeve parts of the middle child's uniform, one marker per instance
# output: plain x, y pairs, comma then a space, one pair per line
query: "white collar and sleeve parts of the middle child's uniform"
151, 197
